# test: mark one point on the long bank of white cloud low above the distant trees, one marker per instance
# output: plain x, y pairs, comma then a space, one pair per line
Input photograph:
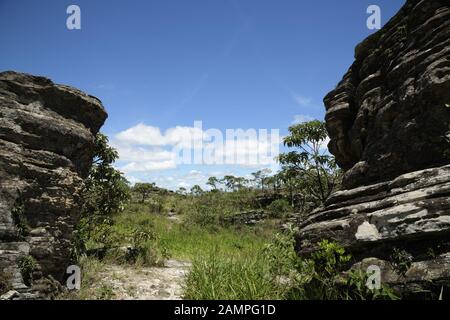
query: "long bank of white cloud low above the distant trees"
145, 148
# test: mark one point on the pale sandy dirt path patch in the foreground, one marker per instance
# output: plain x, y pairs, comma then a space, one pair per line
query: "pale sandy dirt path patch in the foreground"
155, 283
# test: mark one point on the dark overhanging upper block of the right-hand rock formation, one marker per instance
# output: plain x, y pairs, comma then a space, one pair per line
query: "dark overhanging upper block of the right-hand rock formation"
388, 115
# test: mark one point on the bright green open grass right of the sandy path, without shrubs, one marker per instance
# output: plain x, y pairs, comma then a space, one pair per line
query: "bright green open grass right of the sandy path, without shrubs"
226, 261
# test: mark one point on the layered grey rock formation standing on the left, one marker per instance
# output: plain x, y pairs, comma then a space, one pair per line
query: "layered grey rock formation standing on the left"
46, 141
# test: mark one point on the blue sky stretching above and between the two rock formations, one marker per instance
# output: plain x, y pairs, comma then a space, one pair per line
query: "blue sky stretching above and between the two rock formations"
163, 64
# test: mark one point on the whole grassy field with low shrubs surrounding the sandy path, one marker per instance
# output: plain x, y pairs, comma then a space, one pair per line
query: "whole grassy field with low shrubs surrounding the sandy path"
228, 261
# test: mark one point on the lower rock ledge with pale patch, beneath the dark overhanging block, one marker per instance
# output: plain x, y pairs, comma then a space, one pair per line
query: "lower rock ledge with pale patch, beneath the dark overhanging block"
407, 218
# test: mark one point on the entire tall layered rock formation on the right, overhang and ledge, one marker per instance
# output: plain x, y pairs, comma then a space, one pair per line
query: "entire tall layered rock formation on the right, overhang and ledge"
389, 123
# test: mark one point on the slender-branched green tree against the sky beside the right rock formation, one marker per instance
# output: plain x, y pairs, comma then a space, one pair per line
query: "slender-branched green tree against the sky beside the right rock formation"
311, 163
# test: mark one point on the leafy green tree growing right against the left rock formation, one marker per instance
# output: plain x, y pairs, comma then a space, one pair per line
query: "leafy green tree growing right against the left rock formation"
104, 193
